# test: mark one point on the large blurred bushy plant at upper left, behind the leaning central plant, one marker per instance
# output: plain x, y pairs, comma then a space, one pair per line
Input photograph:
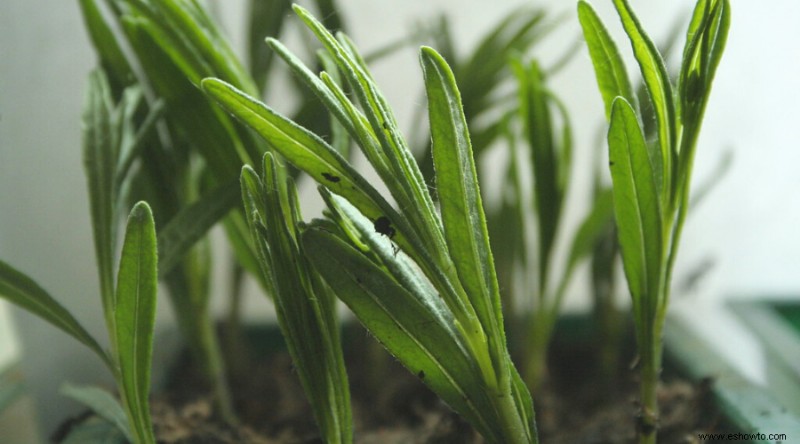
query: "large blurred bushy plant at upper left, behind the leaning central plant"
189, 170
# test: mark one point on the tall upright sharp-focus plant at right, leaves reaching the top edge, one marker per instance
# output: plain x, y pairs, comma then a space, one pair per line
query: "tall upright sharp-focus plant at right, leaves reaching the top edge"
651, 182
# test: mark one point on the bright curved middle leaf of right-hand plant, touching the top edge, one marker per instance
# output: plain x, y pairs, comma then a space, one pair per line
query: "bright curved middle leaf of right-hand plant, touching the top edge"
659, 89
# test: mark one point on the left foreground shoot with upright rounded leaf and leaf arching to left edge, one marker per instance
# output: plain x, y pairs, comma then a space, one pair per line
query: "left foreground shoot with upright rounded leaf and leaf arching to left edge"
132, 318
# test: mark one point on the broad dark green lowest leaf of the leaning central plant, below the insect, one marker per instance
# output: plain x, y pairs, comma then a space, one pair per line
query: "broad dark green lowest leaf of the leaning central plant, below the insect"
415, 327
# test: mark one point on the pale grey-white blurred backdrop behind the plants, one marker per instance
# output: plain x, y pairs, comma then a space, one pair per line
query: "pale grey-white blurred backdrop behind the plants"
745, 234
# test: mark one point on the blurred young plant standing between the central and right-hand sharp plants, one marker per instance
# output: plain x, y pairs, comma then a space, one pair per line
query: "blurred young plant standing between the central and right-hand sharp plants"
550, 158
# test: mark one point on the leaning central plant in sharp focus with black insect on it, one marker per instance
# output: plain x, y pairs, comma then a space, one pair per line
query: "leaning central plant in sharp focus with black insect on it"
423, 283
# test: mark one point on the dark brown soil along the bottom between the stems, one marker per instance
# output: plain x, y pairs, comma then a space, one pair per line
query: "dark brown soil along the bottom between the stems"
390, 405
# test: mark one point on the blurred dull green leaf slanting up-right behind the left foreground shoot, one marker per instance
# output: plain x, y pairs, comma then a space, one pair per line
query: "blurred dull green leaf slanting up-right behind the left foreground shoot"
192, 223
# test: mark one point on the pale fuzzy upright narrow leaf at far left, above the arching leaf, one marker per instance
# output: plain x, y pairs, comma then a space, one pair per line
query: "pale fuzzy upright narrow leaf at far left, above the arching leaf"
100, 159
